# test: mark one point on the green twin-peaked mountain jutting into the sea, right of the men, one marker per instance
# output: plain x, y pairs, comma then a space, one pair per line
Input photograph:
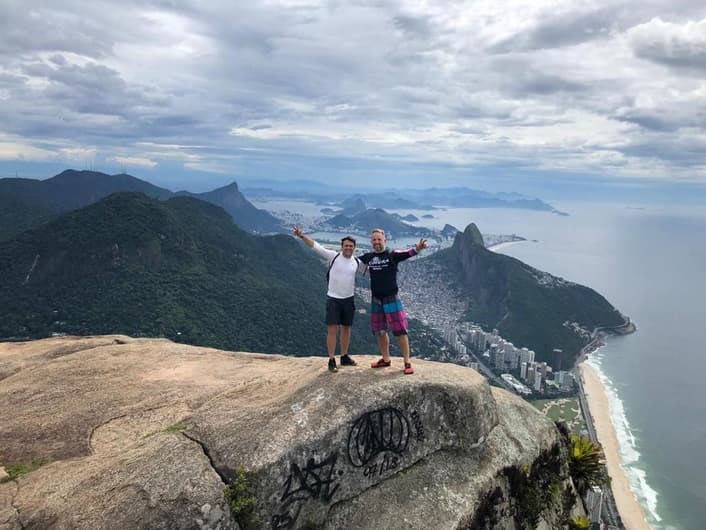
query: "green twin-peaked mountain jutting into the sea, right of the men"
527, 306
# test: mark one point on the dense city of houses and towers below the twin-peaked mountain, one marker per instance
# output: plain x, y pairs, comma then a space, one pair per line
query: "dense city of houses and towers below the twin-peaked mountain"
440, 307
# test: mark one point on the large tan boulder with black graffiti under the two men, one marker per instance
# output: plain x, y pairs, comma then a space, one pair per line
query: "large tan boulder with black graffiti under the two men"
147, 433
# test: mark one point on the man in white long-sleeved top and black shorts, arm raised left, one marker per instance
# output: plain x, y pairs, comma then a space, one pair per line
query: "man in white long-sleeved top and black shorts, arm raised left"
340, 307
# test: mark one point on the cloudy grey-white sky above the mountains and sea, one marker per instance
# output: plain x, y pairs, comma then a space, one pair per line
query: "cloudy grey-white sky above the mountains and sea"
489, 93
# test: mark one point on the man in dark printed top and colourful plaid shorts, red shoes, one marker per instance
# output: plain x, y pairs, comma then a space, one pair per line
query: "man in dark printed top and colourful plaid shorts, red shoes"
385, 307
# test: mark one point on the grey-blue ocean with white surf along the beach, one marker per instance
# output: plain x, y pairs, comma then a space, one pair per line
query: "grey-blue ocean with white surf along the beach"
648, 261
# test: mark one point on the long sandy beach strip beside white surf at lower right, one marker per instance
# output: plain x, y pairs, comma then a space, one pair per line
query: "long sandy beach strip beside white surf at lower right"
631, 513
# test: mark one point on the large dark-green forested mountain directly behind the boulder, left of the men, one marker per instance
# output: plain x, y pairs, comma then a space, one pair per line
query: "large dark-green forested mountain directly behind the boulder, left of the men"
179, 269
